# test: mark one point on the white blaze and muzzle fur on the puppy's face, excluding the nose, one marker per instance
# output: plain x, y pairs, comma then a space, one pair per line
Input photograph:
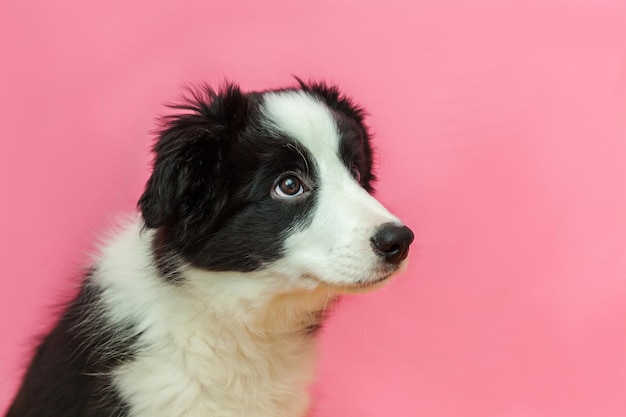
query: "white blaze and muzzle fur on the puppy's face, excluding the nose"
335, 249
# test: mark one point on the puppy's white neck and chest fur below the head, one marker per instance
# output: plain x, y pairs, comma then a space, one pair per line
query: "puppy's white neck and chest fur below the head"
218, 344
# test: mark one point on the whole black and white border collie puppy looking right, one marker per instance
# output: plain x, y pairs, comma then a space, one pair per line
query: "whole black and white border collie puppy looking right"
256, 217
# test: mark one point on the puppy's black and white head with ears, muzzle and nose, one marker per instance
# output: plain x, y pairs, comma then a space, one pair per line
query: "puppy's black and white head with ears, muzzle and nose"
275, 182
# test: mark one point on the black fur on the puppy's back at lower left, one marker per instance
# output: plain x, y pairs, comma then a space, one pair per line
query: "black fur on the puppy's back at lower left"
69, 373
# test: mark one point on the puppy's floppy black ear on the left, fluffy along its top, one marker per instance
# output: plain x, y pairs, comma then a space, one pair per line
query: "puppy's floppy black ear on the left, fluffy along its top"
190, 164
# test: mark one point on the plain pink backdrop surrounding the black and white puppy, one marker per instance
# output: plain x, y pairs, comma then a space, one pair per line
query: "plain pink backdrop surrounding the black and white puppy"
502, 138
